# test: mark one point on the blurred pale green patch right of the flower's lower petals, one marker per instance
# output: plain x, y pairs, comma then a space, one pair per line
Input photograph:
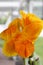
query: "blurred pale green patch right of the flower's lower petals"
39, 48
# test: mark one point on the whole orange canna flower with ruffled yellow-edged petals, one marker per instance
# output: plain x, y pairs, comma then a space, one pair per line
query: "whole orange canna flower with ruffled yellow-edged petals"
22, 36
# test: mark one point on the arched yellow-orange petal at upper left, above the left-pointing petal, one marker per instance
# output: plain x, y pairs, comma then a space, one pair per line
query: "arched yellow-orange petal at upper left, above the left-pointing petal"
18, 23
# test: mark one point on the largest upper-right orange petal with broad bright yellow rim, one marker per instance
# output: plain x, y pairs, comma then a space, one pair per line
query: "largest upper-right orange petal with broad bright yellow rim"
32, 25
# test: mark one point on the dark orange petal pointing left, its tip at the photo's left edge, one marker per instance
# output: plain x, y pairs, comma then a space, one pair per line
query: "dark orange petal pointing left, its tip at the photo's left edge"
8, 33
